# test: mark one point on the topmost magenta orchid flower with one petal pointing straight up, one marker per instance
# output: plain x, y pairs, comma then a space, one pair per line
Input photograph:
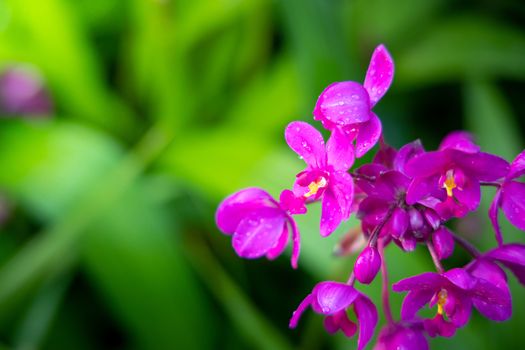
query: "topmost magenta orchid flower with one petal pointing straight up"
348, 105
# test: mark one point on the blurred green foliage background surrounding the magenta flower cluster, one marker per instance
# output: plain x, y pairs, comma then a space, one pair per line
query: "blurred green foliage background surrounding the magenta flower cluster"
124, 123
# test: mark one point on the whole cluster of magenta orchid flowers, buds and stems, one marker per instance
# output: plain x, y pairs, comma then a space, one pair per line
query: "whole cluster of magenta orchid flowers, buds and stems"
404, 197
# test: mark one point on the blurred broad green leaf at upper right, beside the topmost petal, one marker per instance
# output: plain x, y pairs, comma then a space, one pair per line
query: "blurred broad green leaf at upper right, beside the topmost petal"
463, 47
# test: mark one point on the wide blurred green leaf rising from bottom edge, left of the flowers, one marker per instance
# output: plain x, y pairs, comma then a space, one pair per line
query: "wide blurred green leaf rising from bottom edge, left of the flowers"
134, 257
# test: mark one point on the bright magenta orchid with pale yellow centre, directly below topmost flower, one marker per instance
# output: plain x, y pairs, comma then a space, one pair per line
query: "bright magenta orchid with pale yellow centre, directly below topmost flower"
326, 173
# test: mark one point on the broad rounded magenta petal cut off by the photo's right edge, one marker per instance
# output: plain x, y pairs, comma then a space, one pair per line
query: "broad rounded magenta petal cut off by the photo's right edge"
513, 203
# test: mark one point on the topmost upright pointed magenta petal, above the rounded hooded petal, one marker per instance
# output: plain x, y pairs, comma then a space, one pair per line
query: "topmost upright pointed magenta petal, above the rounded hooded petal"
379, 75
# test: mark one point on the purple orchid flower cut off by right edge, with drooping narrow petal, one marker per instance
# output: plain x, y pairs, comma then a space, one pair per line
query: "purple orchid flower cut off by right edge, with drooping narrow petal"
511, 198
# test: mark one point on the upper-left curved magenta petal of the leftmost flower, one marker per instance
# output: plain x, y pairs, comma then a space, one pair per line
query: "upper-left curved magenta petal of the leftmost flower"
238, 205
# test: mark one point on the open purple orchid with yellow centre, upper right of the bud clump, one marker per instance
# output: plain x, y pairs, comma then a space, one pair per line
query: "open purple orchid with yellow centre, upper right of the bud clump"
448, 180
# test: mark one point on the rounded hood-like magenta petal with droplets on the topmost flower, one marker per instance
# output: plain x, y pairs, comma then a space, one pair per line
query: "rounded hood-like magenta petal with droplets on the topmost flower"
343, 103
